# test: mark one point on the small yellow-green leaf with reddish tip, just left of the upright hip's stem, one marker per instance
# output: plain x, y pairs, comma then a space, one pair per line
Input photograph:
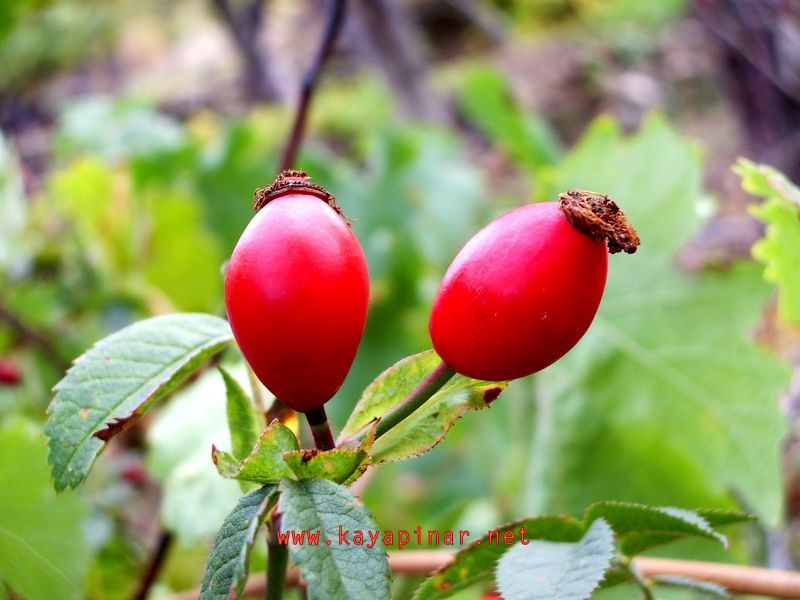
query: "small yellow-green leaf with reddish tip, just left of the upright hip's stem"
265, 462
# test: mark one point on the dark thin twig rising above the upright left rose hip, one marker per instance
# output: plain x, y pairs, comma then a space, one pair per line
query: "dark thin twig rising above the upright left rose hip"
332, 27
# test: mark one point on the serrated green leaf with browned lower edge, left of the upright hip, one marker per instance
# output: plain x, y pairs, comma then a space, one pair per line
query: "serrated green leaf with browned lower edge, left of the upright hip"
118, 380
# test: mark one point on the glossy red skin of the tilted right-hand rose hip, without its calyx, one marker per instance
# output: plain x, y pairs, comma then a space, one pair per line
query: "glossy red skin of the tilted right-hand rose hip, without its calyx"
519, 295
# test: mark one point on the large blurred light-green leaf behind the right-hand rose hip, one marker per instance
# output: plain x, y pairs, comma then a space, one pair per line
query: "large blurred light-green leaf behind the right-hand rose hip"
659, 379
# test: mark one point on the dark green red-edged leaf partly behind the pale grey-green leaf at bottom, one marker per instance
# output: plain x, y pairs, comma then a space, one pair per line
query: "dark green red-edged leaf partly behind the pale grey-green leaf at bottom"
476, 563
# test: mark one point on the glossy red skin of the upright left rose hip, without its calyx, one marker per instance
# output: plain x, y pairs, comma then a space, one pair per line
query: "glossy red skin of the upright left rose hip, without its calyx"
296, 293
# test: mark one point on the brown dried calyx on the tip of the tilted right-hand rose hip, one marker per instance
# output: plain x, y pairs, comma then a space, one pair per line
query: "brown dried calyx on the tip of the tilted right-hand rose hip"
599, 217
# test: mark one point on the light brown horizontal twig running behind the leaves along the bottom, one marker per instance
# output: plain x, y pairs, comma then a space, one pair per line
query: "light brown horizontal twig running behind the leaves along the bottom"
735, 578
